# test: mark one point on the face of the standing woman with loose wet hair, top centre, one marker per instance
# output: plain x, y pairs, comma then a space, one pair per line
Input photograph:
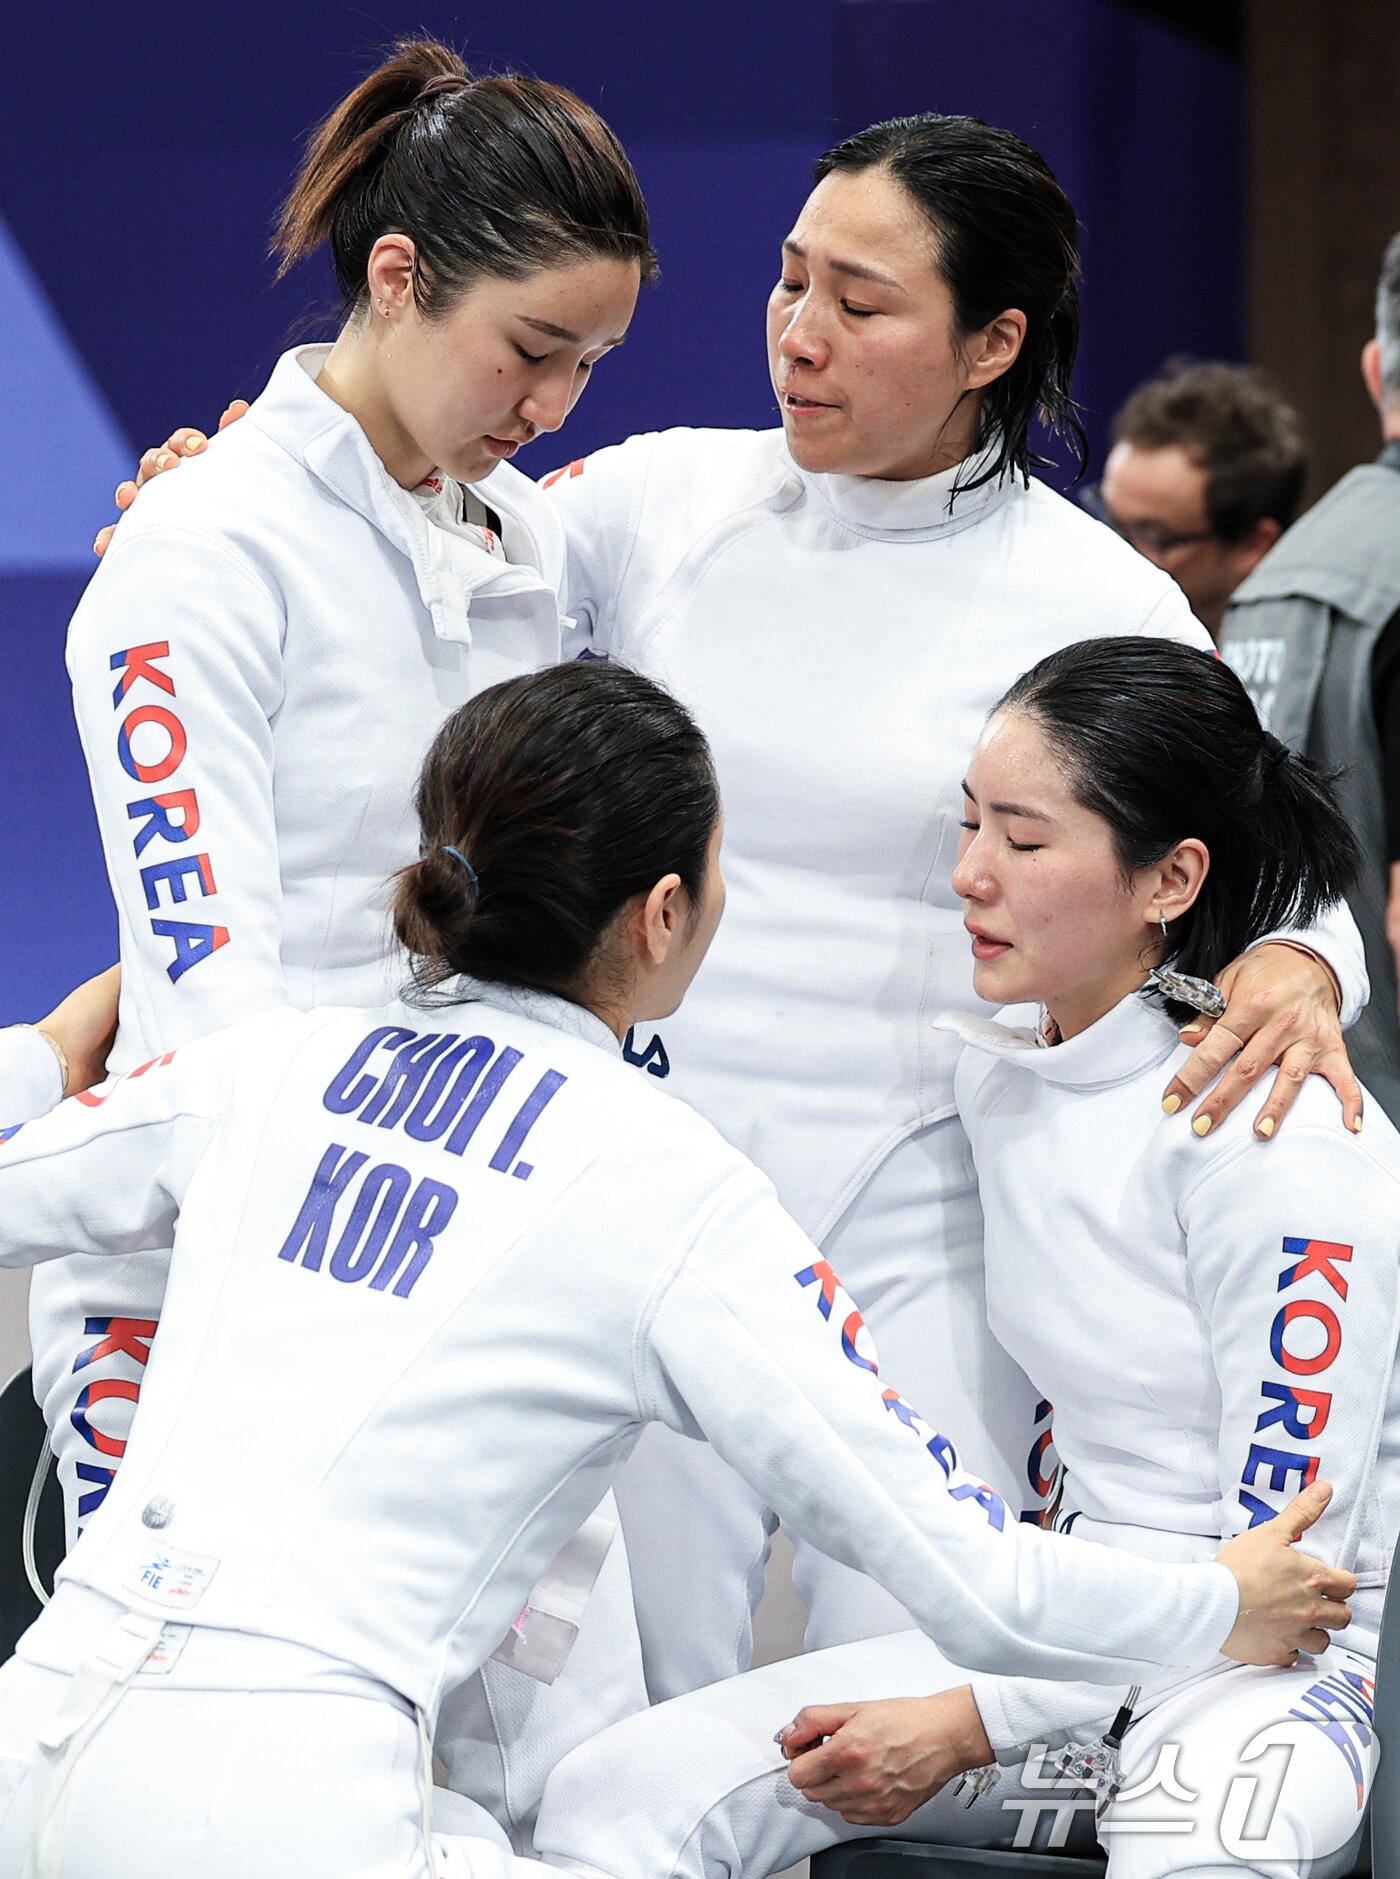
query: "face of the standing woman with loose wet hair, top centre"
862, 337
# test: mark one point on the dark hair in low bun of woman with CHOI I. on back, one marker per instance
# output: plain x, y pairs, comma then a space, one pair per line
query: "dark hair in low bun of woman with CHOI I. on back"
546, 803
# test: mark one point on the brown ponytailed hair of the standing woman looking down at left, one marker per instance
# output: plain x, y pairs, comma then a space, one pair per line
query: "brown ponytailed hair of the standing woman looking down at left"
490, 178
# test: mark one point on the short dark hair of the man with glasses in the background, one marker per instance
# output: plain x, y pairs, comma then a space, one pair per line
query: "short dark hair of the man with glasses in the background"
1237, 427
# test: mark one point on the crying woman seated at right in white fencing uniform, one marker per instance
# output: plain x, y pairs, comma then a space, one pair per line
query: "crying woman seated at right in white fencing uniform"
1213, 1316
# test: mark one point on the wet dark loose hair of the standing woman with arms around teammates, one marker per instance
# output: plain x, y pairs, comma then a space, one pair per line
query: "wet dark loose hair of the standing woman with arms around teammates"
1006, 238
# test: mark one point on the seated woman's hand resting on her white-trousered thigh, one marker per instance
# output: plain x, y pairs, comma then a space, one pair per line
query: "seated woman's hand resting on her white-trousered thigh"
877, 1763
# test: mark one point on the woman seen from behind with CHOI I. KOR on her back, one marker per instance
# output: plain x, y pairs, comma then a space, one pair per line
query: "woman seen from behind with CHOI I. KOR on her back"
448, 1258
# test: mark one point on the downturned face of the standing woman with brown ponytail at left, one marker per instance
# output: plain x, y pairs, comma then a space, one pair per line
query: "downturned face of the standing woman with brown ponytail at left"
506, 362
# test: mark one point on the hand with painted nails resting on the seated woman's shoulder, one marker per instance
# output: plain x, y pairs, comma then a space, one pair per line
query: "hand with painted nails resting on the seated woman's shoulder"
1283, 1008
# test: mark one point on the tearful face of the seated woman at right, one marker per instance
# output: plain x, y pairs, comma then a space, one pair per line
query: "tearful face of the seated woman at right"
1044, 899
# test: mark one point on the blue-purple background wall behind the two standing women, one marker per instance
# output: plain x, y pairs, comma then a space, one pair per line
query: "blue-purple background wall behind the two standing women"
144, 153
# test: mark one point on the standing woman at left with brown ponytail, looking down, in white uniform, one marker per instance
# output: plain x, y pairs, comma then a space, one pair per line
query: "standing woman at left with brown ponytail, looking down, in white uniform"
270, 647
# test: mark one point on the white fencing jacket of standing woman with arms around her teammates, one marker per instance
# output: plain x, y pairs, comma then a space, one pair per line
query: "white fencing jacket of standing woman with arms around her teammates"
841, 642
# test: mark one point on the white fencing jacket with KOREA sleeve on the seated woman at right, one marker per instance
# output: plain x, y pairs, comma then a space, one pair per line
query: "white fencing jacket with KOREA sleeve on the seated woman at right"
1213, 1320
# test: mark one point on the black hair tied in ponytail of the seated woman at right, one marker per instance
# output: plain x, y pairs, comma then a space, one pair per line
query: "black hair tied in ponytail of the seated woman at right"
1164, 745
